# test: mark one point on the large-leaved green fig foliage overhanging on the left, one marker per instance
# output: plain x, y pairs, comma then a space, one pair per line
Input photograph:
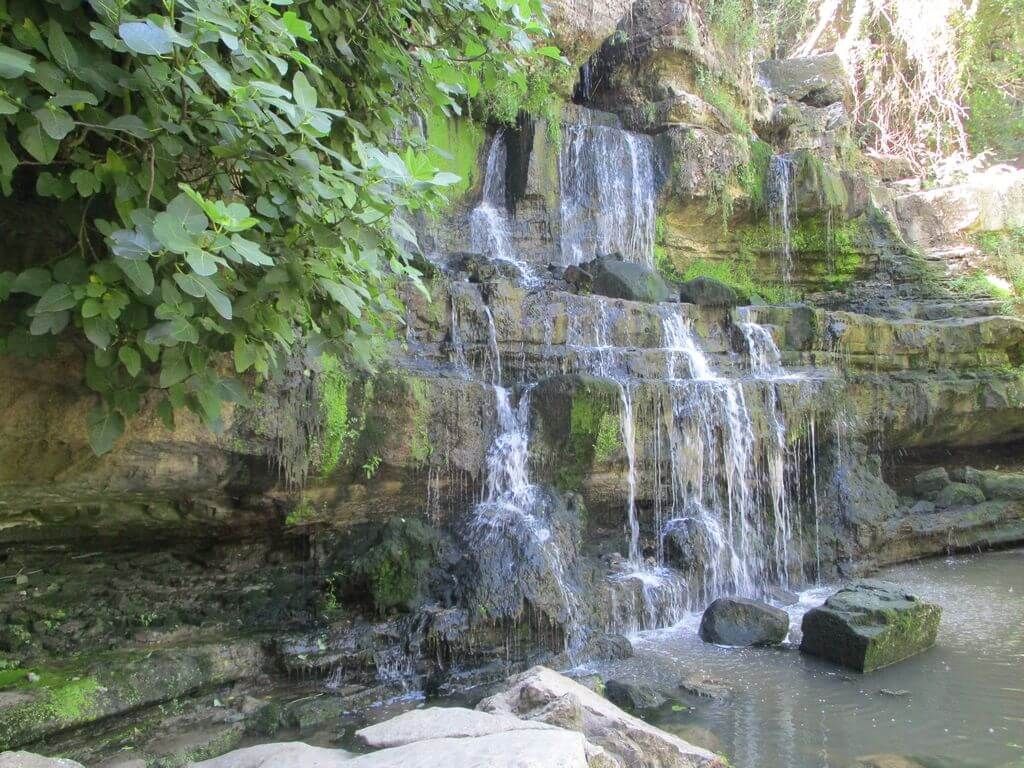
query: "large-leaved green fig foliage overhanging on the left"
236, 170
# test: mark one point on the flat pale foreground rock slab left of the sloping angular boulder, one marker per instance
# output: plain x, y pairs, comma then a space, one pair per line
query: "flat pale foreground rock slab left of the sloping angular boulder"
441, 722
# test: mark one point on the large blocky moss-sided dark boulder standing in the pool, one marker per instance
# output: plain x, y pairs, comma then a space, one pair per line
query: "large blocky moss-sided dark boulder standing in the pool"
870, 625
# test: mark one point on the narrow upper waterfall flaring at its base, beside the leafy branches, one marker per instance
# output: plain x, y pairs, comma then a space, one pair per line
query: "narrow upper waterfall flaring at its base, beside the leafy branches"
490, 227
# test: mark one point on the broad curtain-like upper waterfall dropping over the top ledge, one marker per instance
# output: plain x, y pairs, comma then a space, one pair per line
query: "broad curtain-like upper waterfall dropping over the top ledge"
608, 195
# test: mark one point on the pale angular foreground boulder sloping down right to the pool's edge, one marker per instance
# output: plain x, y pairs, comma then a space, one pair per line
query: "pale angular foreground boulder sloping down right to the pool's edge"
543, 695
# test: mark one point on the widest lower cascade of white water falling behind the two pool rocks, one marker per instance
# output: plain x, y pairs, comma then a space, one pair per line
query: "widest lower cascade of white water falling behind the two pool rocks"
721, 535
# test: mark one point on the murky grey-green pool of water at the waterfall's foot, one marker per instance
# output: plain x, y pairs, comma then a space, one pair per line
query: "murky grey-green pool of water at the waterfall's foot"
962, 703
